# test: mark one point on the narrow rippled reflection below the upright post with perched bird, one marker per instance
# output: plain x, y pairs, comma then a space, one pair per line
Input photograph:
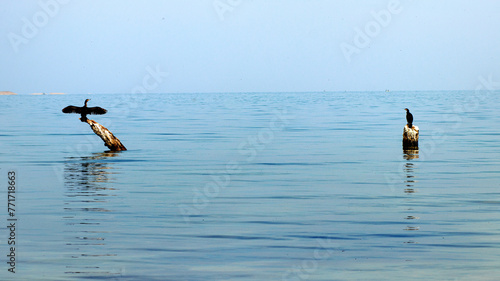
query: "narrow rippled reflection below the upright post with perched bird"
410, 172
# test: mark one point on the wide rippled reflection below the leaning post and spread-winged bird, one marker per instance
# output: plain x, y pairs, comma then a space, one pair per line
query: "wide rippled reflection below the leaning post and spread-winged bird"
87, 191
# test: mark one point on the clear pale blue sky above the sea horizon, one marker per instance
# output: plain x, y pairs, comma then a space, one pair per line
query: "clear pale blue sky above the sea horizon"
120, 46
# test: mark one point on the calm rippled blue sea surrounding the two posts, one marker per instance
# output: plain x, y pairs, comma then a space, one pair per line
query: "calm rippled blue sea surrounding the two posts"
253, 186
